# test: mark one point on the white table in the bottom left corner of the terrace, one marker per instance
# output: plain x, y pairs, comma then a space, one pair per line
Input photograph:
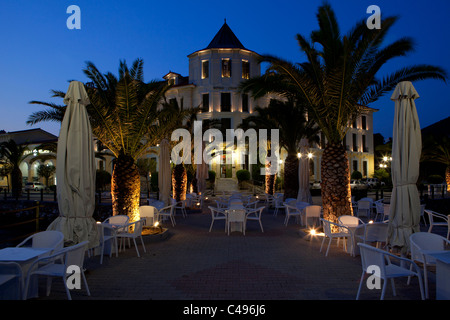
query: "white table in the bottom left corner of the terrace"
24, 256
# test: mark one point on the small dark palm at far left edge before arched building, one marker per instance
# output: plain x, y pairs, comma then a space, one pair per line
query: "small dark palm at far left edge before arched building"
12, 155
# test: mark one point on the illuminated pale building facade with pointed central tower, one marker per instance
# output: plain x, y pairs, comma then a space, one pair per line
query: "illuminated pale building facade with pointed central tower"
215, 73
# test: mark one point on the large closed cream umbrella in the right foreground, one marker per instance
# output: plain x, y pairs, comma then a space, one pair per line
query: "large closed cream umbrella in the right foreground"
406, 149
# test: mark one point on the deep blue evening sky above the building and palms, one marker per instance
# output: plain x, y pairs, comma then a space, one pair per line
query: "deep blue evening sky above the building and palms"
39, 53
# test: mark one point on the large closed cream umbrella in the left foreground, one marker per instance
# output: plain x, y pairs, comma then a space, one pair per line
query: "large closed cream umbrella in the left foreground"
75, 171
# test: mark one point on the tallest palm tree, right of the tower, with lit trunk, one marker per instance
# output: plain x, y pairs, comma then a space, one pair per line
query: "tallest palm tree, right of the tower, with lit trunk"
338, 79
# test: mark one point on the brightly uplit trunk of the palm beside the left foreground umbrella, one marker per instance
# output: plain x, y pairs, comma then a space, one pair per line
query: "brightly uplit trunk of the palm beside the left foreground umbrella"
126, 188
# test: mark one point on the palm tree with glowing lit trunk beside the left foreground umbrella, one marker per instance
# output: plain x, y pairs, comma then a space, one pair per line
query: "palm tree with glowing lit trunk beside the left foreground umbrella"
124, 116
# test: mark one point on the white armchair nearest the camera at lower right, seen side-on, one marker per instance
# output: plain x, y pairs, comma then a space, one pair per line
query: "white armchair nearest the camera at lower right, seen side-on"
373, 257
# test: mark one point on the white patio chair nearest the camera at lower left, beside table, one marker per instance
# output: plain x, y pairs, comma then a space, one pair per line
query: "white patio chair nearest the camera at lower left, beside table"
48, 266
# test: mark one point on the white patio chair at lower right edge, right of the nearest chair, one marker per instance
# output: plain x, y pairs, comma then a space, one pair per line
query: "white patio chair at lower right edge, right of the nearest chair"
423, 243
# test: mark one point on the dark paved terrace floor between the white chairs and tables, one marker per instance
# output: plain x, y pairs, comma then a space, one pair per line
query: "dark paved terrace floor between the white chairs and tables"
194, 264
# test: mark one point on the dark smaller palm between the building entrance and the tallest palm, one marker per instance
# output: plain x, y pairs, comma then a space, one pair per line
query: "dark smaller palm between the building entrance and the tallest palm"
289, 117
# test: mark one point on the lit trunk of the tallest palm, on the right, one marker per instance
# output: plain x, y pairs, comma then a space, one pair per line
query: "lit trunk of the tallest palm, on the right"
336, 192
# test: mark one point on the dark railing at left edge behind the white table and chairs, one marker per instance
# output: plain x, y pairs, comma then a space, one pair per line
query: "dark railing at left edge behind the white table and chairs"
4, 228
